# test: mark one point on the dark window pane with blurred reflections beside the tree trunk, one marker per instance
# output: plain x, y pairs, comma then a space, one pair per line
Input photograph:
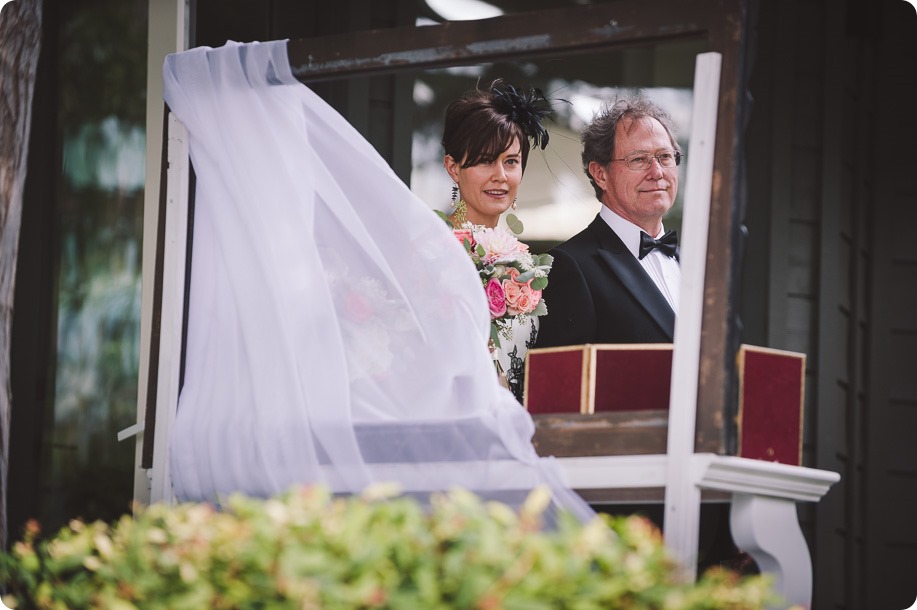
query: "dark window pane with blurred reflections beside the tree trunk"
101, 55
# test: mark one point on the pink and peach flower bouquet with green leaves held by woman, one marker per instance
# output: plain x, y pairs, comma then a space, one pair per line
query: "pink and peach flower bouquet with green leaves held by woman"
513, 278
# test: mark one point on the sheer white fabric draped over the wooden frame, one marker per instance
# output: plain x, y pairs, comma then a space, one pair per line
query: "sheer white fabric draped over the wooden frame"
336, 330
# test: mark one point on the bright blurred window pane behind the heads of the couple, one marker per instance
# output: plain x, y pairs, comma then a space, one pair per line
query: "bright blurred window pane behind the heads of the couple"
555, 199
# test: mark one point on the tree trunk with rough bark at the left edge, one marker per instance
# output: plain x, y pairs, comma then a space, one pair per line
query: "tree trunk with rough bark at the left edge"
20, 38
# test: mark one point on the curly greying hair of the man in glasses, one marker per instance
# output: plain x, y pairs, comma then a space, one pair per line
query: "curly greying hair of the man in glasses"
599, 137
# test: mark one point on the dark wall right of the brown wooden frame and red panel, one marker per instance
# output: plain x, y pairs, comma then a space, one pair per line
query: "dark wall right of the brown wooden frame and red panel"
834, 88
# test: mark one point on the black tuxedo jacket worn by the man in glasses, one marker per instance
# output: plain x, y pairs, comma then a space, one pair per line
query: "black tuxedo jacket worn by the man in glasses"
599, 293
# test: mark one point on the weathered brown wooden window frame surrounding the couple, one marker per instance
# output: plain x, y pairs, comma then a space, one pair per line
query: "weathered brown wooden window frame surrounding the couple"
609, 26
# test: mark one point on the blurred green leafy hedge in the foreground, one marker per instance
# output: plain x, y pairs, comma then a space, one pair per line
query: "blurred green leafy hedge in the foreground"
308, 550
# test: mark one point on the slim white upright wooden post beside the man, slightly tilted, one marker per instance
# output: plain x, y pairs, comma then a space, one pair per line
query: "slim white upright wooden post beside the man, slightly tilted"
682, 495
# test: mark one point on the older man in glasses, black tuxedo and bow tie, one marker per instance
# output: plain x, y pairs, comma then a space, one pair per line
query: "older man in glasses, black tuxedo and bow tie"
617, 281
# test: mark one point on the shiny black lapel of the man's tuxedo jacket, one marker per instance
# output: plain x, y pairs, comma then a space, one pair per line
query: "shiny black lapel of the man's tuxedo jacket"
630, 273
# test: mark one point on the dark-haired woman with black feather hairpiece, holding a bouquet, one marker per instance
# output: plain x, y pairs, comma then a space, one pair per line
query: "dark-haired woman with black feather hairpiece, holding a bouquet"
486, 141
